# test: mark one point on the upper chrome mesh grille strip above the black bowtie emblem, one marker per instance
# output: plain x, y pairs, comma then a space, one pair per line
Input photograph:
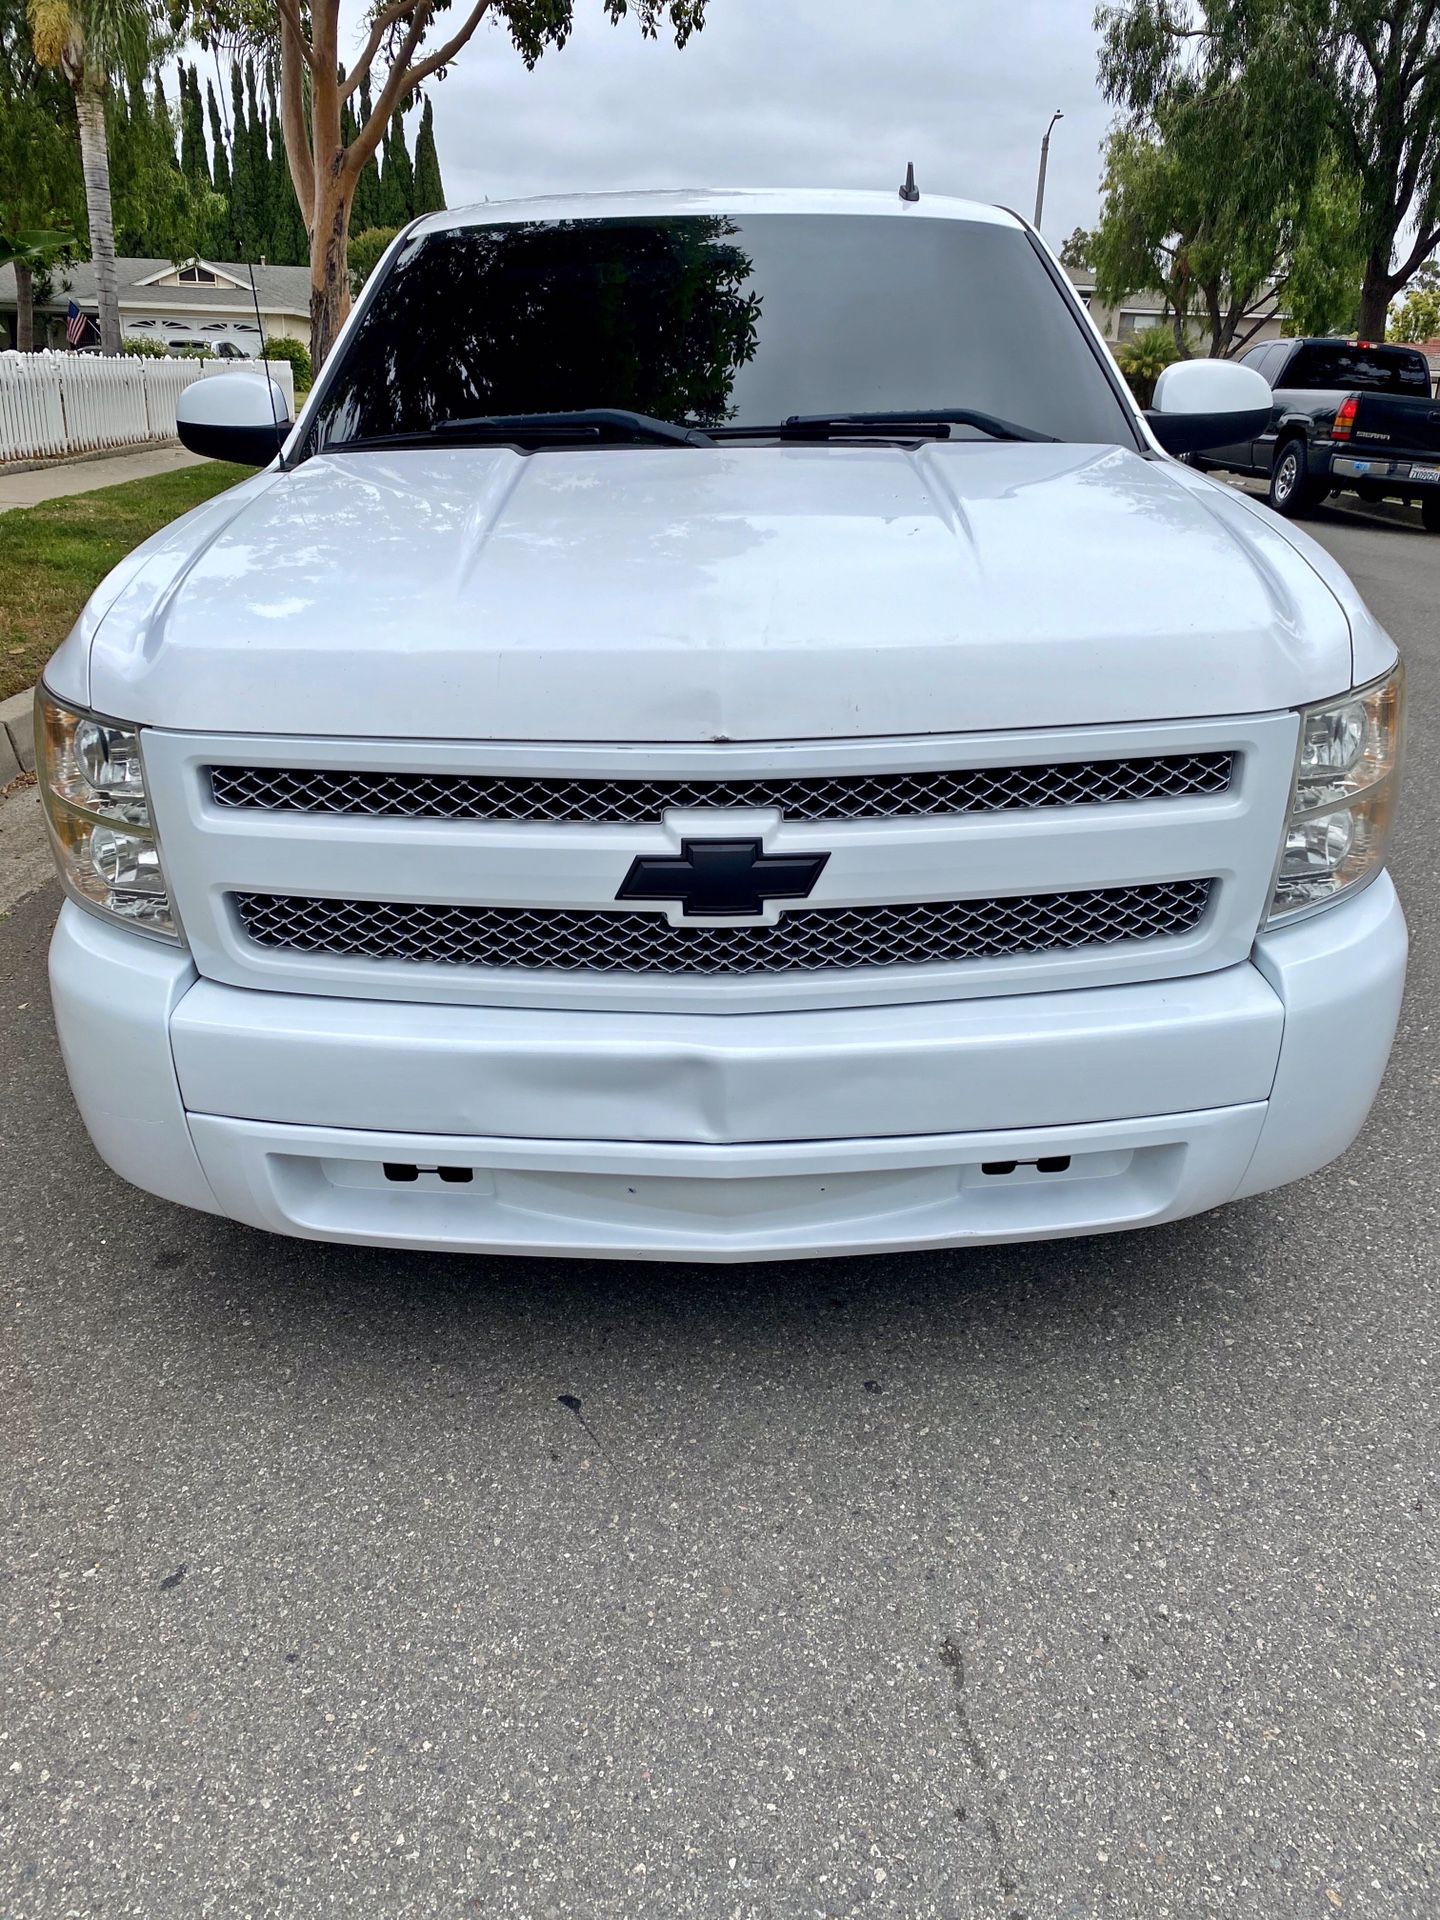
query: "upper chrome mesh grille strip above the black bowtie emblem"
636, 802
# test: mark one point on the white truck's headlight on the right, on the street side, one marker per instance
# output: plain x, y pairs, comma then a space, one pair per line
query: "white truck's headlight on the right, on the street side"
1345, 796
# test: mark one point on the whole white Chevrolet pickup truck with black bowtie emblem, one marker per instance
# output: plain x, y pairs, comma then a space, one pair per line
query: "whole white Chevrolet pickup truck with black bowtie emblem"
721, 732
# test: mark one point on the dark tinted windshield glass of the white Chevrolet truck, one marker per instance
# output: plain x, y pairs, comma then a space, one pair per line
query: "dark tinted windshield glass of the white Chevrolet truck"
721, 322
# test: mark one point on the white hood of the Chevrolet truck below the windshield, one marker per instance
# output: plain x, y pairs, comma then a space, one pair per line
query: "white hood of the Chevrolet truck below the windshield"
711, 594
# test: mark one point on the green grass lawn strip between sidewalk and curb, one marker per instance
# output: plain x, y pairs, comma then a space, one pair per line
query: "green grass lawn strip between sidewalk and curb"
53, 558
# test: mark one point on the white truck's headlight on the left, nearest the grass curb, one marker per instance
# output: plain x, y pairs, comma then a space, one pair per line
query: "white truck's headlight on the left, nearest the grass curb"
95, 800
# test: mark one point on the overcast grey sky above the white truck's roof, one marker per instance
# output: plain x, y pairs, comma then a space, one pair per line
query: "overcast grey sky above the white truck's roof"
790, 93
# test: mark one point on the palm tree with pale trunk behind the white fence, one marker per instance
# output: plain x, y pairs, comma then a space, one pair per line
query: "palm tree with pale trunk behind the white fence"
89, 41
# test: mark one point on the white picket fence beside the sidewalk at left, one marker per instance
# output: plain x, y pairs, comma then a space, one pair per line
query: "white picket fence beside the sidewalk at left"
55, 404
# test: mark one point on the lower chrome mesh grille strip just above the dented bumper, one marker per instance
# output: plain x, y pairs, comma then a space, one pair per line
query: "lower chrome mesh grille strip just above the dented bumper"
817, 940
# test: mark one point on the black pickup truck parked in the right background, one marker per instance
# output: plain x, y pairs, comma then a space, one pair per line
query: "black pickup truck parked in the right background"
1345, 418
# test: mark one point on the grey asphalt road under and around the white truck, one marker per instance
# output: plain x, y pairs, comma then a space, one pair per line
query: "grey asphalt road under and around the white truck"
1065, 1581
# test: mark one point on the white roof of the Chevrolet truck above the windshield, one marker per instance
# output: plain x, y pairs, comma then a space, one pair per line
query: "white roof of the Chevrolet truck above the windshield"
738, 203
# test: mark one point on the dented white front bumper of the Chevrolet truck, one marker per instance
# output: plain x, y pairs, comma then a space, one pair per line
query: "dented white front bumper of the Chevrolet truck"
731, 1138
